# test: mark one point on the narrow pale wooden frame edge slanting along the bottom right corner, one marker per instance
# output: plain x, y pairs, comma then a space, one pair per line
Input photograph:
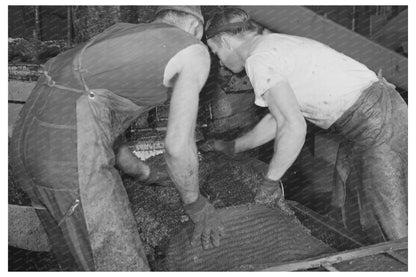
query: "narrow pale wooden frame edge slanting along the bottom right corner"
342, 256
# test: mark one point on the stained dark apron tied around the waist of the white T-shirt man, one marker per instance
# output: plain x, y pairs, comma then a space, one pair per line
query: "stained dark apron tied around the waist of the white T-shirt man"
372, 162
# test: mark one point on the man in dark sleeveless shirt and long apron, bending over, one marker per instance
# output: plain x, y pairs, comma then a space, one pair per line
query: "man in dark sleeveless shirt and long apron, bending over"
62, 144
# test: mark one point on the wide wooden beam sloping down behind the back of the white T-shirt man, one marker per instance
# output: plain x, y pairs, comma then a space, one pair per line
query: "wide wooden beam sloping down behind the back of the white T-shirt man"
300, 21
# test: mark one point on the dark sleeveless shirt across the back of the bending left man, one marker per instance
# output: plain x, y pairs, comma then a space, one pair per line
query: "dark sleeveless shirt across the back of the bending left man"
127, 59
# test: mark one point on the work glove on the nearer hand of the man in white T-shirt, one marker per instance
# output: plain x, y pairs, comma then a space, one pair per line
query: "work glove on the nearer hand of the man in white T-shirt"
271, 193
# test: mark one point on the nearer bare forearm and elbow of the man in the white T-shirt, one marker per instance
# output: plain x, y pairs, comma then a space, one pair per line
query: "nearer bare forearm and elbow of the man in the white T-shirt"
291, 128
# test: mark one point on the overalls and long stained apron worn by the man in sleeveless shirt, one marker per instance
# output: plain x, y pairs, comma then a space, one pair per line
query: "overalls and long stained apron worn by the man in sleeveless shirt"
82, 203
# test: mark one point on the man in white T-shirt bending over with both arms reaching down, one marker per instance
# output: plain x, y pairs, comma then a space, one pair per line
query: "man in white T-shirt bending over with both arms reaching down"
299, 78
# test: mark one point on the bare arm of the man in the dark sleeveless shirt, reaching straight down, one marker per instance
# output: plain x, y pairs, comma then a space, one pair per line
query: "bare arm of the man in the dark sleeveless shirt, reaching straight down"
181, 154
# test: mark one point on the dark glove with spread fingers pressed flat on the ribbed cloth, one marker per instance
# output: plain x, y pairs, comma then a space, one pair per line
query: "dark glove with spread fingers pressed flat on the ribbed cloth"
208, 226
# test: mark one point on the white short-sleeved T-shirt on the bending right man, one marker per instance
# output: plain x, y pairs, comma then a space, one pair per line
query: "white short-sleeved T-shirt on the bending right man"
325, 82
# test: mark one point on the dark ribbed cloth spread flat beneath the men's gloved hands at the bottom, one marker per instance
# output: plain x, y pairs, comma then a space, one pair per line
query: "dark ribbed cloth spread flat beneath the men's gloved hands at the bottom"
256, 237
